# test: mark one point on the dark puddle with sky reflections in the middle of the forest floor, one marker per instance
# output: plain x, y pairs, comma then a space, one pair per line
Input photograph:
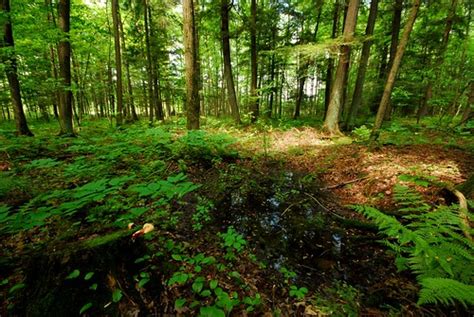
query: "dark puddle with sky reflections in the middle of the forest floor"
289, 230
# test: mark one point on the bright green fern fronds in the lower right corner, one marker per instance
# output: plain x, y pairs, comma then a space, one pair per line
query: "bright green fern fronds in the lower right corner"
430, 242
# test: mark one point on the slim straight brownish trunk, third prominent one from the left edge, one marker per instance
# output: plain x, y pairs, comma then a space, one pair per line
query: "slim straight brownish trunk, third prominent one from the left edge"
118, 60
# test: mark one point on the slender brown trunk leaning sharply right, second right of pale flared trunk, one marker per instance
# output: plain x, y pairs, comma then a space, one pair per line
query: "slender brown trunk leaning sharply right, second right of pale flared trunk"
394, 69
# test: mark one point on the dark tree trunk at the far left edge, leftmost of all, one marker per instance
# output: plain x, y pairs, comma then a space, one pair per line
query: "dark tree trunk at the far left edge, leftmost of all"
11, 71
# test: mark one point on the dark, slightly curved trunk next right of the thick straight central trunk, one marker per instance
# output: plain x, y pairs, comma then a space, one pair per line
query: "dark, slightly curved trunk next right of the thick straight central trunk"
232, 98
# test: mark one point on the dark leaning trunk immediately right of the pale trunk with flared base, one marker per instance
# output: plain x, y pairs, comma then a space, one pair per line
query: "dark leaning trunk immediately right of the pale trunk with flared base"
364, 58
